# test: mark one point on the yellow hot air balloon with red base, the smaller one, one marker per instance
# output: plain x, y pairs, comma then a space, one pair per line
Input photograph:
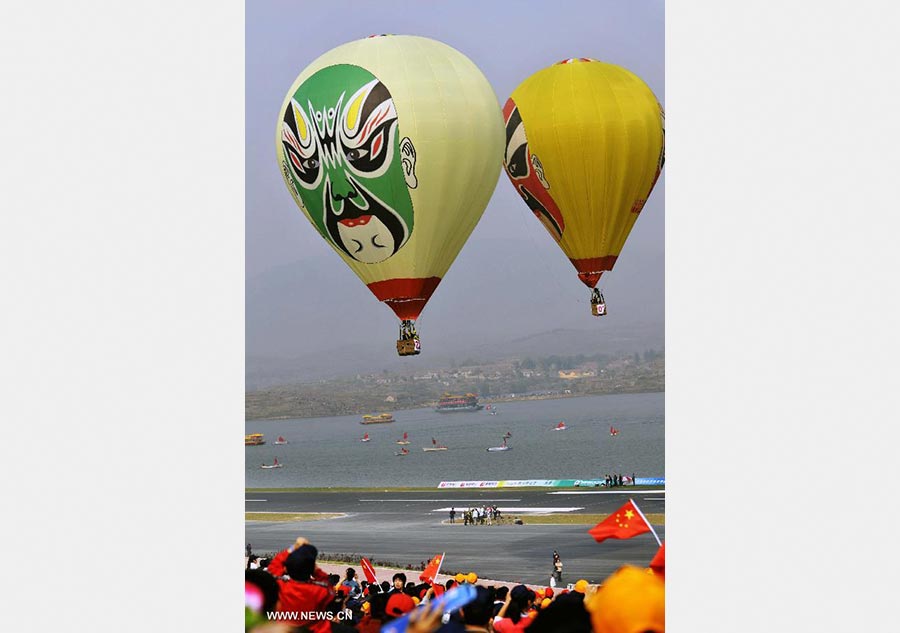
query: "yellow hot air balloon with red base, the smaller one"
585, 144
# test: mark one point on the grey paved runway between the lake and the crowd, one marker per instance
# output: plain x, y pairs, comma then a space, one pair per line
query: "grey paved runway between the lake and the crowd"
407, 528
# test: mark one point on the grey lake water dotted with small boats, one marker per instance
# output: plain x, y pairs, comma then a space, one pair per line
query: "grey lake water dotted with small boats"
327, 451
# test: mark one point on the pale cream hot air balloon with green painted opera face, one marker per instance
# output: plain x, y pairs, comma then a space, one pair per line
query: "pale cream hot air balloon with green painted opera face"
392, 146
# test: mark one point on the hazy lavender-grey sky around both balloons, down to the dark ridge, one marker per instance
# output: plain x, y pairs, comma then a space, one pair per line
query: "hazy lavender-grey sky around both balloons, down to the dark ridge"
288, 264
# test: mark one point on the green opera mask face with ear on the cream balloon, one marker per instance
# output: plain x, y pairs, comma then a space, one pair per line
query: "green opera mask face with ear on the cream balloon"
346, 163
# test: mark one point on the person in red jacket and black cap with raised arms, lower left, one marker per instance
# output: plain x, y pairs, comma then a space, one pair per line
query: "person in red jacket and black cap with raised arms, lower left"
308, 589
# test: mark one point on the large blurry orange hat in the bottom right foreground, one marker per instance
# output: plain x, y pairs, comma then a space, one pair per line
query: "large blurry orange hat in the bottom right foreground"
629, 601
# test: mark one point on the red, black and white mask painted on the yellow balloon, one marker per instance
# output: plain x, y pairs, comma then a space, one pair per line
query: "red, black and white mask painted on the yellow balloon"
527, 174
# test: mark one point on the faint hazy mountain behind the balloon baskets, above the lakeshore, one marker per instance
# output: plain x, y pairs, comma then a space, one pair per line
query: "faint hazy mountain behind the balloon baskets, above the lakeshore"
314, 319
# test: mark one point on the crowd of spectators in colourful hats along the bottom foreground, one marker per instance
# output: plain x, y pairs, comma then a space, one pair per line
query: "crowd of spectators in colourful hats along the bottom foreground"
289, 593
